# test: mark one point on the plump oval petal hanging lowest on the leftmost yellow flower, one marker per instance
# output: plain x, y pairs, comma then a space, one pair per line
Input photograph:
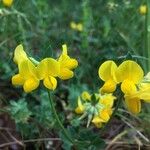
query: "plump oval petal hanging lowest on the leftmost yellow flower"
30, 84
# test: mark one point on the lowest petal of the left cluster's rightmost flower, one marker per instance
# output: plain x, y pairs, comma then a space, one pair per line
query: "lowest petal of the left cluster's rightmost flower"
65, 74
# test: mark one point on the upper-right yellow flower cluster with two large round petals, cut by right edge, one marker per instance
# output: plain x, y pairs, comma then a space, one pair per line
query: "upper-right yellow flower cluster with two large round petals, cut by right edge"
134, 85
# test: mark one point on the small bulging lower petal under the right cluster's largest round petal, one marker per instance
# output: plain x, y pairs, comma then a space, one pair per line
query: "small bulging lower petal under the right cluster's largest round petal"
128, 86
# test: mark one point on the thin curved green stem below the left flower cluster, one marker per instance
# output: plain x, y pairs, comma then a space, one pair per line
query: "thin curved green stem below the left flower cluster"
57, 118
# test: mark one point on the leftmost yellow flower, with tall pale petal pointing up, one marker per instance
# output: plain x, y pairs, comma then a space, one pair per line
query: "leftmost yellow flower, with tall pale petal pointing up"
27, 75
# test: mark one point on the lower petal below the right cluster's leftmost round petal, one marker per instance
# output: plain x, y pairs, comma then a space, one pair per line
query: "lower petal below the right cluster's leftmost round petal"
108, 87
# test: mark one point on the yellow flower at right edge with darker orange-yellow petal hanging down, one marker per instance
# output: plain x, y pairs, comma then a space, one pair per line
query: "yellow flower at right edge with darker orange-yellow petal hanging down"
133, 99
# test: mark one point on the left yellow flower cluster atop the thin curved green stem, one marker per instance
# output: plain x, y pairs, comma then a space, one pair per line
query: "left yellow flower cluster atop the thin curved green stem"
31, 72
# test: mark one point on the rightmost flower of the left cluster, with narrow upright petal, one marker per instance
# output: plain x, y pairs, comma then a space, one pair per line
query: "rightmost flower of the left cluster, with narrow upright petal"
66, 64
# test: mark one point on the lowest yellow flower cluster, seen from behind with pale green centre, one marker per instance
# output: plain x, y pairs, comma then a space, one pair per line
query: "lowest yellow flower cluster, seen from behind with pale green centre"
97, 107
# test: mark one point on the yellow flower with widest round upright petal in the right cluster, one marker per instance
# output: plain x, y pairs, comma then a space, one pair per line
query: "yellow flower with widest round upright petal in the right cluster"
130, 74
